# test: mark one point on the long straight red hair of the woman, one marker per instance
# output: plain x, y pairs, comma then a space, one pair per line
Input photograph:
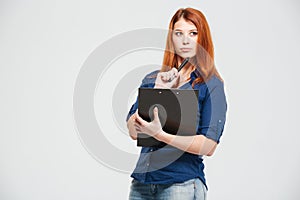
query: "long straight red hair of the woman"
204, 58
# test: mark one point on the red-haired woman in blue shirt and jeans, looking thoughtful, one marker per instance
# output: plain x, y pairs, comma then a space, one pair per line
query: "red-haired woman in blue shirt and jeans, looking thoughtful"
181, 178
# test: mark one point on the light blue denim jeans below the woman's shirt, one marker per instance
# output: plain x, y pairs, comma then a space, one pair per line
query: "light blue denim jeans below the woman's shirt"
192, 189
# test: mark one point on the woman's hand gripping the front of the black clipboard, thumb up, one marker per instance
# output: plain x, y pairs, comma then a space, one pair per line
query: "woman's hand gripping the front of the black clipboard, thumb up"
150, 128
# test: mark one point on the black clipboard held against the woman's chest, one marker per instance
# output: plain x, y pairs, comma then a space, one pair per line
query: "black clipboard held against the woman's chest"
177, 109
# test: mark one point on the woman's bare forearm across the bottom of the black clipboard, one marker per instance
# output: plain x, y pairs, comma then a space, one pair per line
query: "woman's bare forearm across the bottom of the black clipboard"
197, 144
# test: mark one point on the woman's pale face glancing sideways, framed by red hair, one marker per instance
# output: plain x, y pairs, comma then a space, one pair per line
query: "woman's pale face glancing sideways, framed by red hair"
184, 38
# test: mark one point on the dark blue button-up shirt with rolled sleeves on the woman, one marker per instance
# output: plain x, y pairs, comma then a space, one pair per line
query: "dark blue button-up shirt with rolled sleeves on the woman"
168, 165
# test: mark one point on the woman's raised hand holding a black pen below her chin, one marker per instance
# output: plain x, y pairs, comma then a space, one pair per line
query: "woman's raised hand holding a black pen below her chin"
169, 79
